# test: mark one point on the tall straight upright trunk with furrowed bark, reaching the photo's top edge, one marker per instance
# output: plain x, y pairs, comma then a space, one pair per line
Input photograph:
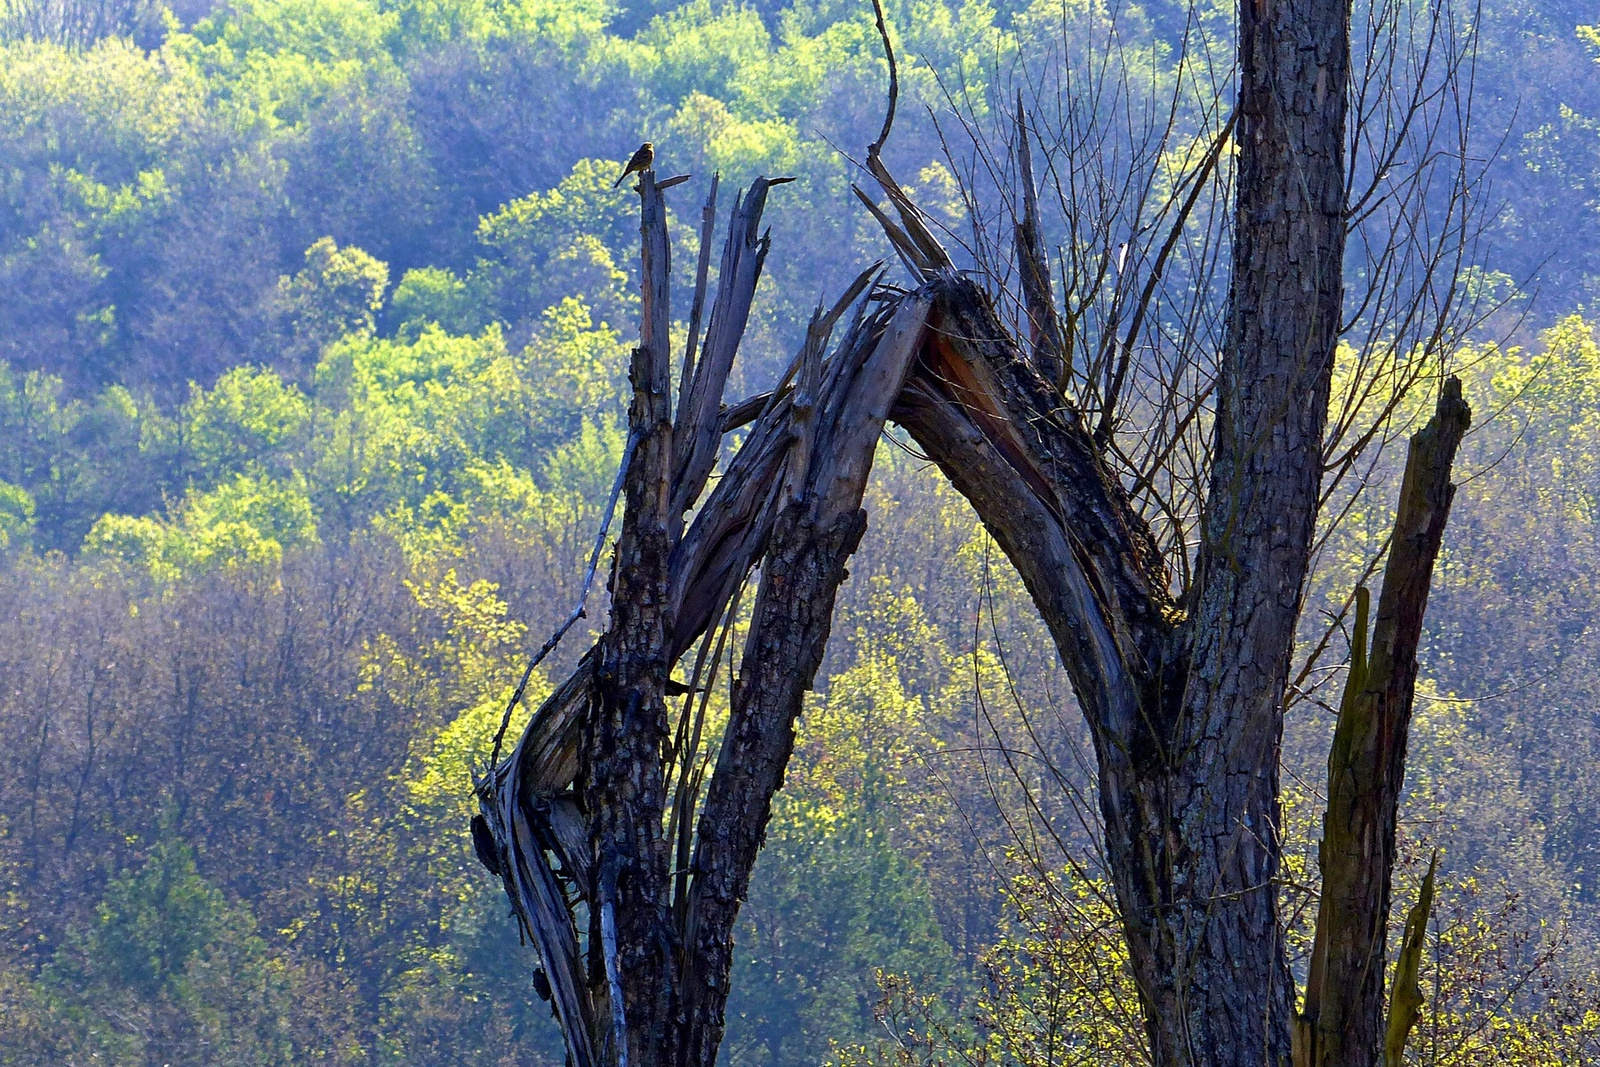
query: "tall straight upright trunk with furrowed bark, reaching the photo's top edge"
1212, 961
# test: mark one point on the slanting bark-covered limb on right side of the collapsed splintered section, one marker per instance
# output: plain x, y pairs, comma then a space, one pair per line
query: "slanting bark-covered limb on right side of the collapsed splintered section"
818, 530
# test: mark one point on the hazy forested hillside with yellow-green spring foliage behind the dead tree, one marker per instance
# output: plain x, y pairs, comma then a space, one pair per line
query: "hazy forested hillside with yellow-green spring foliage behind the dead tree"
314, 319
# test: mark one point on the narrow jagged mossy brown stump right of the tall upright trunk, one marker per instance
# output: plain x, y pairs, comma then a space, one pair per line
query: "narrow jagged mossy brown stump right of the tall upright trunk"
1343, 1020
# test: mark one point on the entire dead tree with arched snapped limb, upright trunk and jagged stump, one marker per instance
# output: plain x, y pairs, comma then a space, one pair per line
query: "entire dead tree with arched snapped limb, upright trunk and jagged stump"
628, 858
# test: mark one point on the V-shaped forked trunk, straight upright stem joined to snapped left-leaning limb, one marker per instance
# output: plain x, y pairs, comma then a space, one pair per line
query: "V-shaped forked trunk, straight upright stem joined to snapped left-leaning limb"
1186, 700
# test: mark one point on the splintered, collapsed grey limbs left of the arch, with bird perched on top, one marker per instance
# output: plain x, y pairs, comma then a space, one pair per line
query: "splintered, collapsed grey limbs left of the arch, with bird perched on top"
590, 820
